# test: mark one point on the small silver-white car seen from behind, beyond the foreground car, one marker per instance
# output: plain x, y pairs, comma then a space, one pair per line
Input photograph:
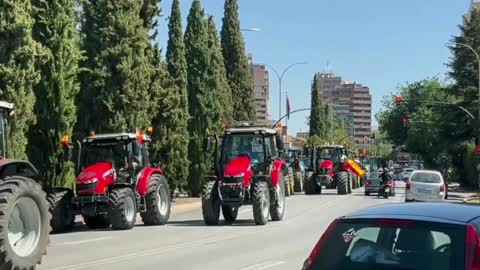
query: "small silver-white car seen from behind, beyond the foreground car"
426, 186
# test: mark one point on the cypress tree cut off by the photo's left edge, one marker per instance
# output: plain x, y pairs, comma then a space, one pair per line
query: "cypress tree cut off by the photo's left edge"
19, 56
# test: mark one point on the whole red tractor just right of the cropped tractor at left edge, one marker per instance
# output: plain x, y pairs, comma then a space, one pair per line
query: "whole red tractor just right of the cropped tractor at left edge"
116, 181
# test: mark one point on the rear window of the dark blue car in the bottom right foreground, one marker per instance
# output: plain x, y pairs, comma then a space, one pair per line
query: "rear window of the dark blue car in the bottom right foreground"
392, 244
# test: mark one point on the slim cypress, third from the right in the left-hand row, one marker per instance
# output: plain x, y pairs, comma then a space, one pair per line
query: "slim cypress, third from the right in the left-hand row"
200, 94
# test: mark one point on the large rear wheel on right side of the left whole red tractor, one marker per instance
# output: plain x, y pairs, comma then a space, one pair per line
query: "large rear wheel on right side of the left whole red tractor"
158, 201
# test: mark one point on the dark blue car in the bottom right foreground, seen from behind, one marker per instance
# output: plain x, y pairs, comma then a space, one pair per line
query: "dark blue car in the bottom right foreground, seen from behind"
440, 236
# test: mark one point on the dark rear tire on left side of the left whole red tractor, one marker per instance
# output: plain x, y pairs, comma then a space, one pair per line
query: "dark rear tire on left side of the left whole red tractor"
61, 210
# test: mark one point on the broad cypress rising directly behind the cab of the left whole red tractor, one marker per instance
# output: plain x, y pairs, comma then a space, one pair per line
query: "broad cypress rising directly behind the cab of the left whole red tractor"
117, 83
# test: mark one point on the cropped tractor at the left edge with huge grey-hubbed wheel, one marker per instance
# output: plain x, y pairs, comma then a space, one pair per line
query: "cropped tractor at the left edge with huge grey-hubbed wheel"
24, 213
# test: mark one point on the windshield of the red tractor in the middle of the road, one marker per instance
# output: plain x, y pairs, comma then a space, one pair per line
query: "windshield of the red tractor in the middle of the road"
236, 145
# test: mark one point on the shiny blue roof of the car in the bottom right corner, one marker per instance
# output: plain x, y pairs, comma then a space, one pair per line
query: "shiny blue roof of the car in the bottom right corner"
439, 212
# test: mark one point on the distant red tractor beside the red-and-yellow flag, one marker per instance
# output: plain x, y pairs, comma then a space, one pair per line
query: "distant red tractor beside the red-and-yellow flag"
330, 169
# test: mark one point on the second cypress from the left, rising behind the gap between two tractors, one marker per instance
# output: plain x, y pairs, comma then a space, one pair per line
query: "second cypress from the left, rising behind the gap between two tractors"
55, 94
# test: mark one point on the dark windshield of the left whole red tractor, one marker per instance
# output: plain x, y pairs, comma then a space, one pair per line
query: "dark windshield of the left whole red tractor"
114, 152
